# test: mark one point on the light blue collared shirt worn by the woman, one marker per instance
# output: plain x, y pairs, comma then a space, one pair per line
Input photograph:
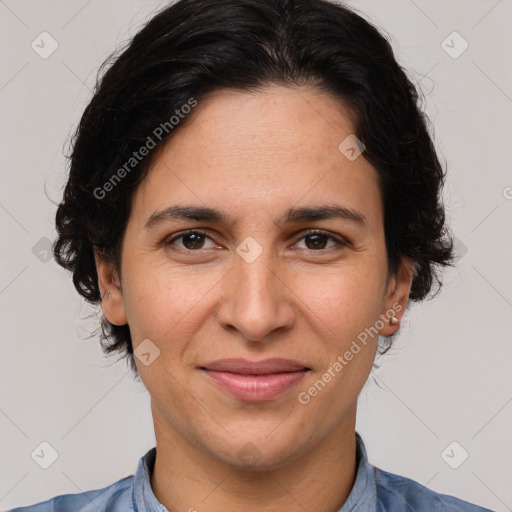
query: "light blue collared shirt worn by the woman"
374, 490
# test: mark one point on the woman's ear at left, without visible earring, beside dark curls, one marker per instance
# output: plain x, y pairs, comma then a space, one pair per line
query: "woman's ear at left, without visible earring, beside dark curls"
112, 301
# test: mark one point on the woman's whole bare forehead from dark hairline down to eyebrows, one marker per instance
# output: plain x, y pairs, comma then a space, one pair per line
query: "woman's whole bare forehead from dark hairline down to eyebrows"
239, 151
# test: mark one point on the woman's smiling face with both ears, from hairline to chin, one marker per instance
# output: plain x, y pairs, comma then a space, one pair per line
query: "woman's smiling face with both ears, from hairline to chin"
267, 279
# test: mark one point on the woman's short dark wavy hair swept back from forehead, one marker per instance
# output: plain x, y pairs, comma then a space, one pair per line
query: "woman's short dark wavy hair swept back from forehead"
194, 47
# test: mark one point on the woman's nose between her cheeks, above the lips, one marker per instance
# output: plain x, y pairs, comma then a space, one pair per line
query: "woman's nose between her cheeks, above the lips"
257, 300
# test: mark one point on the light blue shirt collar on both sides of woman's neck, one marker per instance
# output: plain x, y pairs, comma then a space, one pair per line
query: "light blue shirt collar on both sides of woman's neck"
362, 497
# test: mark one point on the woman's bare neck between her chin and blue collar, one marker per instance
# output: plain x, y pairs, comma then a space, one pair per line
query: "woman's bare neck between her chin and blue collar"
187, 477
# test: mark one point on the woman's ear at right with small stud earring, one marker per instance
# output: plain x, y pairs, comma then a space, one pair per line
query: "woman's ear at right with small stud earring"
397, 296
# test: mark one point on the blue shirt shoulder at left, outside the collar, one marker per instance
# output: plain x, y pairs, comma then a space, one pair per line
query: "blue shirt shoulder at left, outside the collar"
112, 498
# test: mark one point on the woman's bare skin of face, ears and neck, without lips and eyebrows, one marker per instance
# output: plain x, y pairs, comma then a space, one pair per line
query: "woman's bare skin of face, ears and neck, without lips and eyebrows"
254, 155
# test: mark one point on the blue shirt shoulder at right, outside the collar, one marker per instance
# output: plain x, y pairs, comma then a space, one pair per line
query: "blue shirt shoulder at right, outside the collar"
400, 494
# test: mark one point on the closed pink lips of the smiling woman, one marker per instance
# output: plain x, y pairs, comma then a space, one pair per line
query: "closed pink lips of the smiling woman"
255, 381
